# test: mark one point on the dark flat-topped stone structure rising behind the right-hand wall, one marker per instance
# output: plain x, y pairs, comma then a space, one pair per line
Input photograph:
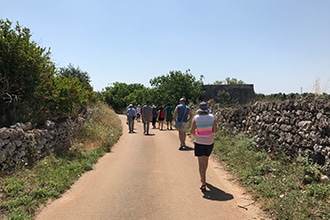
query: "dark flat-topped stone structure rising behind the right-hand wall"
240, 93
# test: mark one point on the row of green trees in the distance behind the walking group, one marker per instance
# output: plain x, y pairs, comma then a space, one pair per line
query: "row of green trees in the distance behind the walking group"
165, 89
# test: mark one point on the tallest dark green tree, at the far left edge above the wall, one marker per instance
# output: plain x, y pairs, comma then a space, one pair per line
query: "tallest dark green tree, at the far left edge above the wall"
24, 67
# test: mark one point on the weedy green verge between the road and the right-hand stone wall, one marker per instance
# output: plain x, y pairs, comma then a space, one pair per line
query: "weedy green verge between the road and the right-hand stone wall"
276, 181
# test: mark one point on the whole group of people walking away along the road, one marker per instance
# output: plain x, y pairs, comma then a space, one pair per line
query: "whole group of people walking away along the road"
203, 126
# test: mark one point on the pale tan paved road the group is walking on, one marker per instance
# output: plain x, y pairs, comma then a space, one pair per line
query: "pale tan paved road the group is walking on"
147, 177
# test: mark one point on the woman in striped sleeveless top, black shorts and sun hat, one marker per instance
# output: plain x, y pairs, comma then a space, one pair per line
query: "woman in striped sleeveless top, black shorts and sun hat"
202, 127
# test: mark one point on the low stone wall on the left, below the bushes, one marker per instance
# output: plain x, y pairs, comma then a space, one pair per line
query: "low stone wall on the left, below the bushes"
20, 145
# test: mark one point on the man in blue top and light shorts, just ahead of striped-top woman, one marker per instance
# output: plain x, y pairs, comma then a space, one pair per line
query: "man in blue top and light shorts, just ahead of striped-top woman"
182, 115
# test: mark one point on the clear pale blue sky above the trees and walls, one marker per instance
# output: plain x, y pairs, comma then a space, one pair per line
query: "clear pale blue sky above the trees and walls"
277, 45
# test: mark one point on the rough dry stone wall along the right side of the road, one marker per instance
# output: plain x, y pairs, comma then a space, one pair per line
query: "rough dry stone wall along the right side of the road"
296, 127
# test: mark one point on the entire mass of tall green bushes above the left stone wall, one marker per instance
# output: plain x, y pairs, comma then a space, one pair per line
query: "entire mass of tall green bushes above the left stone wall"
32, 89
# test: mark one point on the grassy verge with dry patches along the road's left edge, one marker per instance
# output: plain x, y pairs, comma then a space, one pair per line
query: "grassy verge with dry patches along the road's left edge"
22, 193
